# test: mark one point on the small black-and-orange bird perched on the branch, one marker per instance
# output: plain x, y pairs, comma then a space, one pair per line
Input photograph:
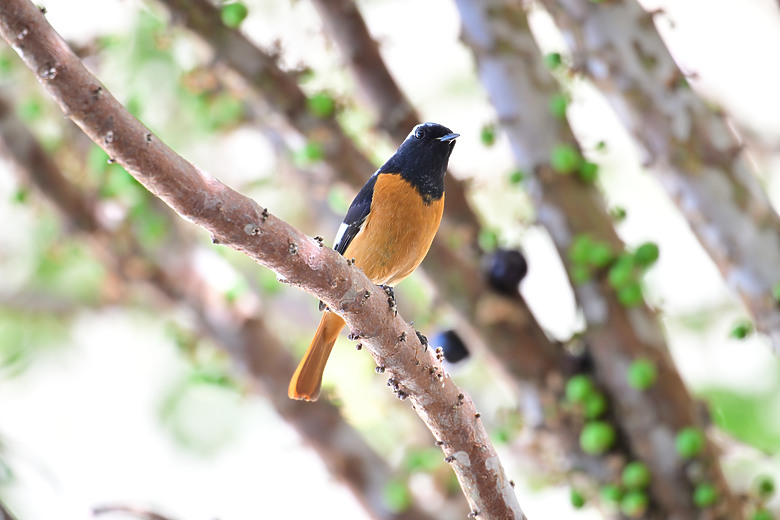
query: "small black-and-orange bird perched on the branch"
387, 230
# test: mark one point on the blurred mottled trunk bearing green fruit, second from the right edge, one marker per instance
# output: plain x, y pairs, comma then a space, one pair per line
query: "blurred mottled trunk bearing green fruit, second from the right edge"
519, 87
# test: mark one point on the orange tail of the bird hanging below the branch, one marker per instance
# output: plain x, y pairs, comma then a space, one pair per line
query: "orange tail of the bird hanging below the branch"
306, 381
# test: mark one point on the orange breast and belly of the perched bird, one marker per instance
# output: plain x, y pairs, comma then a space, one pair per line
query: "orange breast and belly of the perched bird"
398, 231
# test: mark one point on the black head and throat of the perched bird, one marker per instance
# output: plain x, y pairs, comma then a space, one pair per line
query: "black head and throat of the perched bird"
422, 158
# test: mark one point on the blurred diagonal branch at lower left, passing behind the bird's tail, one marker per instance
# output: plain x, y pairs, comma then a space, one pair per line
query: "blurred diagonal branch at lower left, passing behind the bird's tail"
247, 339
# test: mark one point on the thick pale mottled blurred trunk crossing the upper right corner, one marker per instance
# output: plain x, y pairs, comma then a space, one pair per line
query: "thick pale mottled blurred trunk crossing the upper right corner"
687, 145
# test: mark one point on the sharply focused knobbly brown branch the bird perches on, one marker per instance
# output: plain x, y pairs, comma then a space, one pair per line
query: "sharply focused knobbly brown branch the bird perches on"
240, 223
